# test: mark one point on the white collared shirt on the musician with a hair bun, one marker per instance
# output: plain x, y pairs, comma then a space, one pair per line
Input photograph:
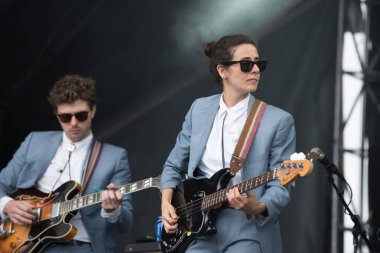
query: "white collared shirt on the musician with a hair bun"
211, 161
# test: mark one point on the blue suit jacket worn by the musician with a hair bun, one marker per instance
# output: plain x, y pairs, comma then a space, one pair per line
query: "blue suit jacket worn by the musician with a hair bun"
274, 142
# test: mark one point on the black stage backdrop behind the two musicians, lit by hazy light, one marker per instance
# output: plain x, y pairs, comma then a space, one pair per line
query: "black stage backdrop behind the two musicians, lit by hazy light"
147, 59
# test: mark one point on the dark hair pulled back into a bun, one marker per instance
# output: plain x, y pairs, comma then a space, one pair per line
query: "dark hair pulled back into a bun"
222, 51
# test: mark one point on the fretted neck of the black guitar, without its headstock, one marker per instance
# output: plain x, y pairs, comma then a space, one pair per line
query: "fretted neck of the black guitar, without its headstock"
220, 196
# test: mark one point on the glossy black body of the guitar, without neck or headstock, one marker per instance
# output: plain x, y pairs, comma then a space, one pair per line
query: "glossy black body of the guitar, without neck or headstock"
194, 221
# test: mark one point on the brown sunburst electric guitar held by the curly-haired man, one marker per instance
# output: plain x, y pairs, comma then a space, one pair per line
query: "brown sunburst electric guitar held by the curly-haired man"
54, 212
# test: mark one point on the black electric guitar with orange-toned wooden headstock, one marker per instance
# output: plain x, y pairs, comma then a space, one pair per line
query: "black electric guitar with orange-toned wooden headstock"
197, 206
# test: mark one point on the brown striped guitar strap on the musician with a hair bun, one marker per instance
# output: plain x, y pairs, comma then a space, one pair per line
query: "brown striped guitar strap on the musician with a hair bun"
247, 136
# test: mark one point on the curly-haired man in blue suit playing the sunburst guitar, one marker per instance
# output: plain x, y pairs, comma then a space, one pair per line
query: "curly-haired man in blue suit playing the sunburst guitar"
48, 160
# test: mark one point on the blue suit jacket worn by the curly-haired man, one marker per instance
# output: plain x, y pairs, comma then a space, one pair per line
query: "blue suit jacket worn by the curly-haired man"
33, 158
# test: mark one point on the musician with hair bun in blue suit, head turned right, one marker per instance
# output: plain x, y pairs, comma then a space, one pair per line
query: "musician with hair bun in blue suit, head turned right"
207, 141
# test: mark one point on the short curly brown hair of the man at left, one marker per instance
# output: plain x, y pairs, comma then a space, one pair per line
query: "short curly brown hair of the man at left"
71, 88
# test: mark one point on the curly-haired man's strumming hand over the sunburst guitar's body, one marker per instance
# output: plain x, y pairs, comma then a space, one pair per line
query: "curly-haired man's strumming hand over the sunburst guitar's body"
19, 212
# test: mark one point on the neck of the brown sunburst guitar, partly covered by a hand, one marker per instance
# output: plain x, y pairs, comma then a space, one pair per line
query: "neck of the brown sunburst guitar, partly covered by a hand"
91, 199
